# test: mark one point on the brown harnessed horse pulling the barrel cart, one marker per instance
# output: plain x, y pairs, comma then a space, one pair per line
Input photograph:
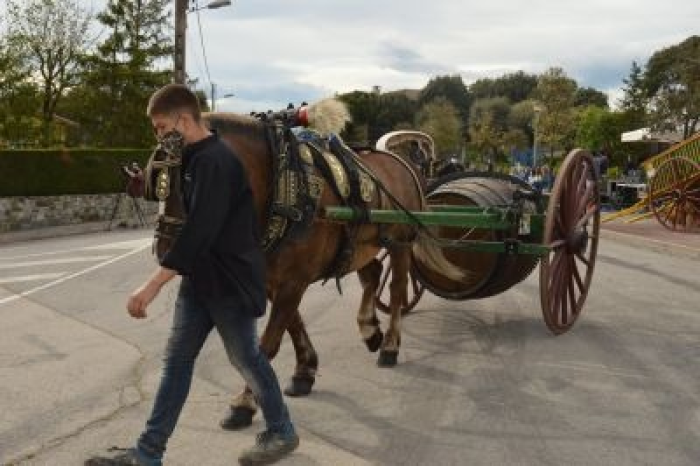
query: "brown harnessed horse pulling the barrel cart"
301, 262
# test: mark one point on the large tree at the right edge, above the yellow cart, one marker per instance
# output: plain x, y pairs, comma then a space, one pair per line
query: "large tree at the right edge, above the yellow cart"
672, 83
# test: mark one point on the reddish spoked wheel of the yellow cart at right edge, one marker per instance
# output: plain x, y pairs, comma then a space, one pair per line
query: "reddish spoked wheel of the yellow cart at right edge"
674, 194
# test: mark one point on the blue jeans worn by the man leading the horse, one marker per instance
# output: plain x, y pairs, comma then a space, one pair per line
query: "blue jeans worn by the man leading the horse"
192, 323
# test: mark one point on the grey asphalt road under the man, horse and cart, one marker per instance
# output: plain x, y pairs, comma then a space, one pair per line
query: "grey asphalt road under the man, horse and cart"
478, 383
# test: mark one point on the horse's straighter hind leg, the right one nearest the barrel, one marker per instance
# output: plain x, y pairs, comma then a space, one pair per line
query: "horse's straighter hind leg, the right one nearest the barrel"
400, 264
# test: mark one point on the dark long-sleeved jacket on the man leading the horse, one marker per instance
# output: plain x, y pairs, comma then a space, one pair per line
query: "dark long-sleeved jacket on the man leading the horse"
219, 249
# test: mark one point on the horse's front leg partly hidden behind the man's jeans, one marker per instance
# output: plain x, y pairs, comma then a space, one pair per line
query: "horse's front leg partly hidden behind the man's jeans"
244, 406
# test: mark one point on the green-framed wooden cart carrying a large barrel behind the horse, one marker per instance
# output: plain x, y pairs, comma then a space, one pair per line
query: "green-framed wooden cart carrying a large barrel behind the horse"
499, 228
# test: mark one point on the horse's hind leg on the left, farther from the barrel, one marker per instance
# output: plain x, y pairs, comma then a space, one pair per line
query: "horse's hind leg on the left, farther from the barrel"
367, 319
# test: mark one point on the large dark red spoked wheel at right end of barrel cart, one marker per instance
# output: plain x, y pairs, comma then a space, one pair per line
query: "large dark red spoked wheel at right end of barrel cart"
571, 231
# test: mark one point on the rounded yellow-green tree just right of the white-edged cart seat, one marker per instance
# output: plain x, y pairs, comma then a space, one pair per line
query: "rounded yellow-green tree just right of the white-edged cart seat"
440, 119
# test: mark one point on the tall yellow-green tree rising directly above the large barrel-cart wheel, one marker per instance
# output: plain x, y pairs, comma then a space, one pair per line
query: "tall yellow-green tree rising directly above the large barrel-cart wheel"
556, 94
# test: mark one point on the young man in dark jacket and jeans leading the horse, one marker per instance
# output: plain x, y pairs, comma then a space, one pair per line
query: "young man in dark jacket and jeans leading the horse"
219, 257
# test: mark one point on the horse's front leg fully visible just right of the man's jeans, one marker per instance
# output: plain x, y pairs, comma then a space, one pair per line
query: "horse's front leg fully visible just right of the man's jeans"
307, 359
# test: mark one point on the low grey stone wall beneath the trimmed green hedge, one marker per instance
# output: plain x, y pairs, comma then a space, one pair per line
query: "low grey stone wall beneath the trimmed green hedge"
28, 213
